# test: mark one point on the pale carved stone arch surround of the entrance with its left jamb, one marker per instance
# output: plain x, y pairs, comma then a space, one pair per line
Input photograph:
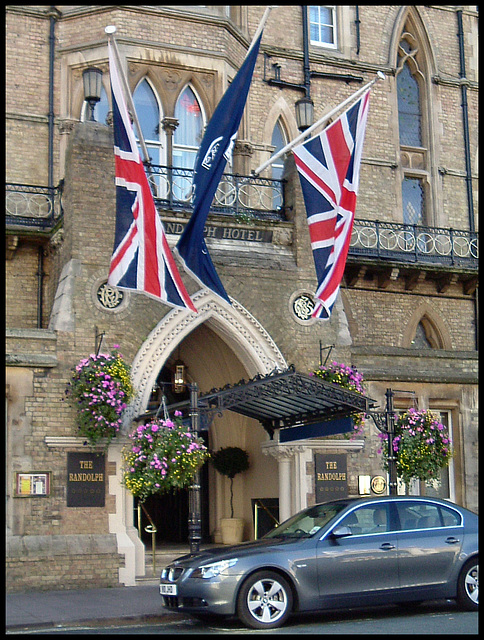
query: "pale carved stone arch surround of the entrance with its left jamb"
247, 341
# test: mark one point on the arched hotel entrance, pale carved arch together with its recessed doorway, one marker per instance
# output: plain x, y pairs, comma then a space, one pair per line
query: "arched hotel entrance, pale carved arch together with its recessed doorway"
220, 345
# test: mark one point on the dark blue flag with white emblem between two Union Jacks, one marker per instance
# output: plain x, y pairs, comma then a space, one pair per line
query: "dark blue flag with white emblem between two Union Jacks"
215, 150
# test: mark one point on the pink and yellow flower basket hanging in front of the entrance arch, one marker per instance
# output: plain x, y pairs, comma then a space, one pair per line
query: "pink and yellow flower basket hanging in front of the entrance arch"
163, 456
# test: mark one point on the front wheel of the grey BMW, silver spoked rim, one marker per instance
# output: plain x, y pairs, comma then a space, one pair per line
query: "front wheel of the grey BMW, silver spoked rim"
264, 601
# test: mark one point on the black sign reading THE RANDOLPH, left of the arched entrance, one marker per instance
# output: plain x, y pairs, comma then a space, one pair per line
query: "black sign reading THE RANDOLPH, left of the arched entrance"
86, 476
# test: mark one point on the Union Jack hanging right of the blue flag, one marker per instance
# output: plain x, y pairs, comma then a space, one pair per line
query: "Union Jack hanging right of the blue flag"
329, 167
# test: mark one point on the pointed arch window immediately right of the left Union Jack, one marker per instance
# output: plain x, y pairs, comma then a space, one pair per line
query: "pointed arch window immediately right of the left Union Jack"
149, 115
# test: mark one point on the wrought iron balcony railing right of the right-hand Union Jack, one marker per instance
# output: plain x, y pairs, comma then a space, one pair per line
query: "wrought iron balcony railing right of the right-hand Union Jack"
414, 243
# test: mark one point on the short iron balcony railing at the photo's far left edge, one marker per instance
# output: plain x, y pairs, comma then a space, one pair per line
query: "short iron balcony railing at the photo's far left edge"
32, 206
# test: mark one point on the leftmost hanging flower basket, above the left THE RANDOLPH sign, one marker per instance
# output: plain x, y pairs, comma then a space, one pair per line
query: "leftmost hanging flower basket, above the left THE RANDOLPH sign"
100, 390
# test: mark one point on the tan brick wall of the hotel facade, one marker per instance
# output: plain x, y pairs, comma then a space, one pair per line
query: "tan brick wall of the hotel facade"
198, 42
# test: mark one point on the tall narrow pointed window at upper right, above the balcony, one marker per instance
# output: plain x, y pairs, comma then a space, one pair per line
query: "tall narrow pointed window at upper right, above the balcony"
413, 131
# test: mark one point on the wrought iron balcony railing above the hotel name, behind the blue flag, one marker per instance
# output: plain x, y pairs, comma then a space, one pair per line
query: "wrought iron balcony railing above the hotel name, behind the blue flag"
236, 195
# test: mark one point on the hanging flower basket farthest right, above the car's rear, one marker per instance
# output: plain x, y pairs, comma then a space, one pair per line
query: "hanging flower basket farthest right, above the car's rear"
421, 444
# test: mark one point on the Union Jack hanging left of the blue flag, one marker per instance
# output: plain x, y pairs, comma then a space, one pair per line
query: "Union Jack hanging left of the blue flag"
142, 259
